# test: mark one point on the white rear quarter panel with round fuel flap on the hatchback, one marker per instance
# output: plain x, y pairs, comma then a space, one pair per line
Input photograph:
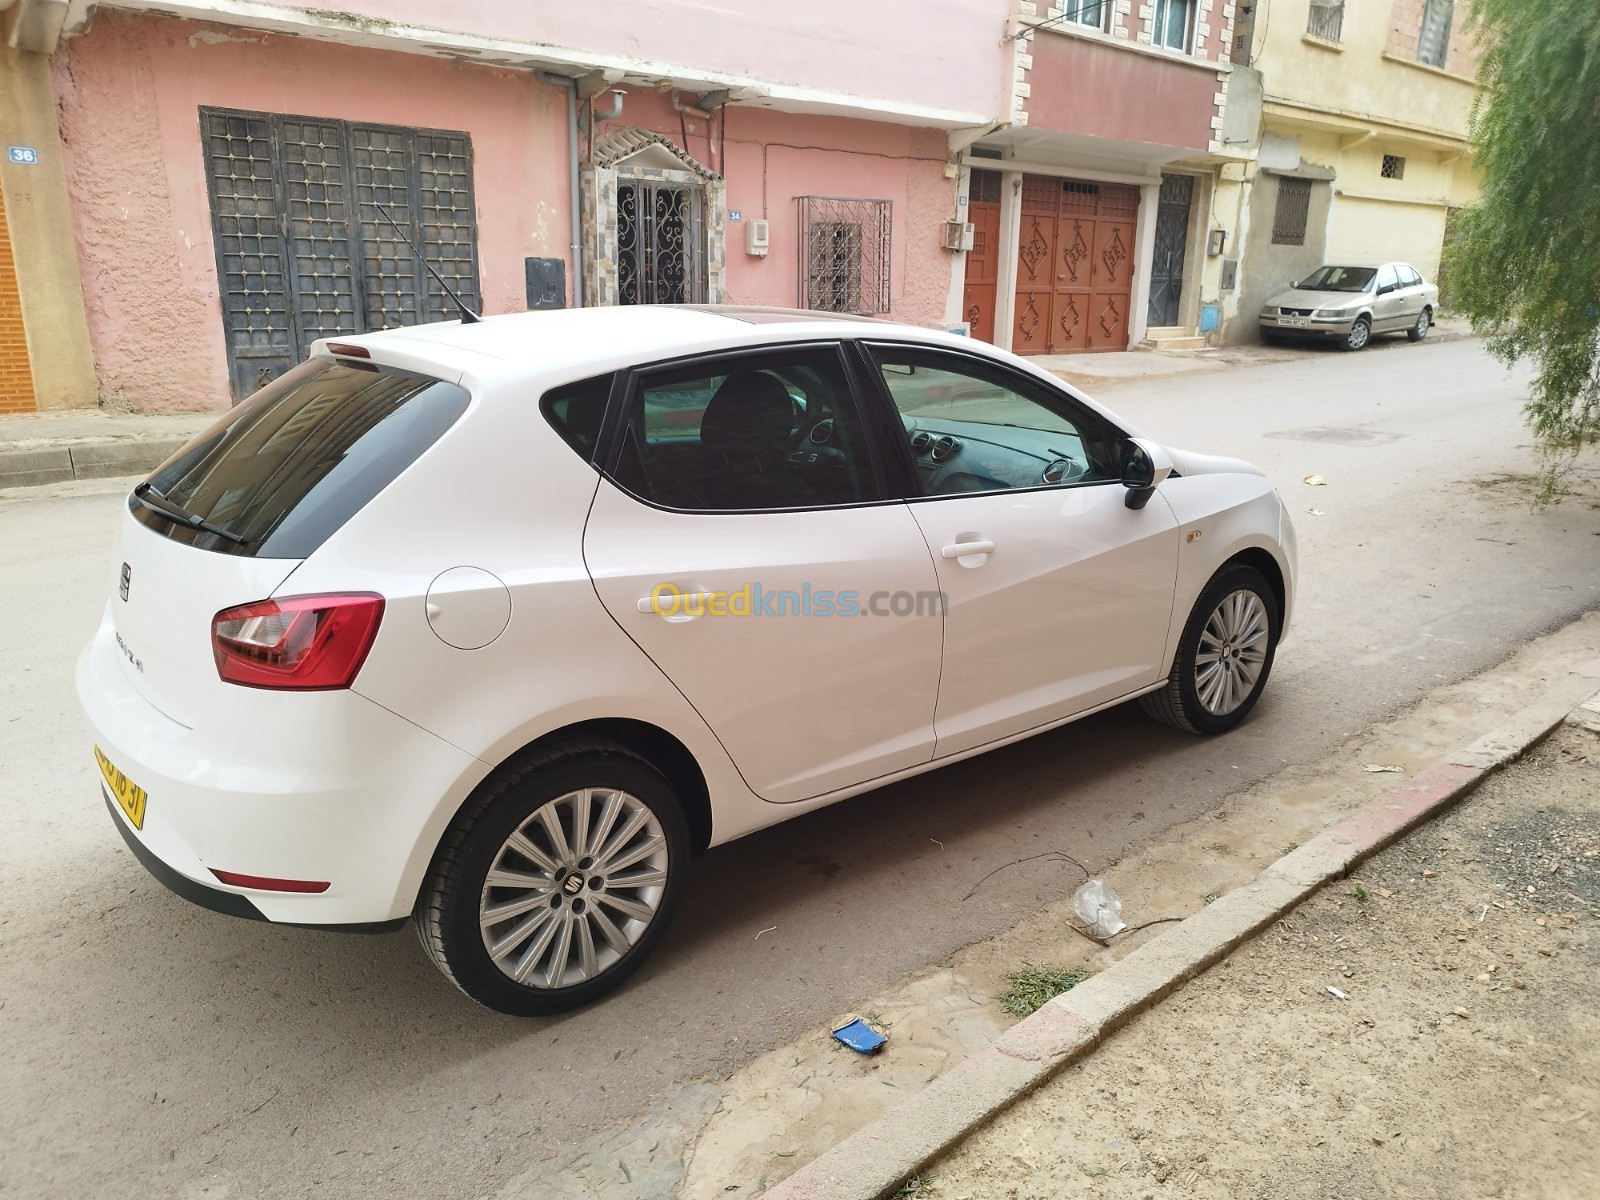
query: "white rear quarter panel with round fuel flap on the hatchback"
559, 658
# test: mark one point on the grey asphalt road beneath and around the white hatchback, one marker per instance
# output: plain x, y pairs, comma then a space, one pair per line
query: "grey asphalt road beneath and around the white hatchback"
153, 1049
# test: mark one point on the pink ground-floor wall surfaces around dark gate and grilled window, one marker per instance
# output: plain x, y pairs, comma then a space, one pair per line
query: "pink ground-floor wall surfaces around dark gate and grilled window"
130, 94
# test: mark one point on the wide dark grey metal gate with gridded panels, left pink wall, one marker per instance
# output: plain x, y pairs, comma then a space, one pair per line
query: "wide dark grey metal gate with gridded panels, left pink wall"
302, 249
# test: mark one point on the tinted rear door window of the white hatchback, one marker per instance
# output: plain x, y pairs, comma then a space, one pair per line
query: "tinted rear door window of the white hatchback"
770, 431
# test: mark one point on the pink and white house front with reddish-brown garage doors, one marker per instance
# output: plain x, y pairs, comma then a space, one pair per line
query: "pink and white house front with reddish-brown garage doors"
1102, 185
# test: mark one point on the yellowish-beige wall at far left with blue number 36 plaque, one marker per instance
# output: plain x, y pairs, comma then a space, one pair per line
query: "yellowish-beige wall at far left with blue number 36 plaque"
47, 342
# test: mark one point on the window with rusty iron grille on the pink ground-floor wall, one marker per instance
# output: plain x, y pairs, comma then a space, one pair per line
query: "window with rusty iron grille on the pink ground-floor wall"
846, 255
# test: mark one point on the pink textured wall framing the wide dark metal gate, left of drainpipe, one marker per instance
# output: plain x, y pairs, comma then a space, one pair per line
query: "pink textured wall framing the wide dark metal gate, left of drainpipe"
130, 94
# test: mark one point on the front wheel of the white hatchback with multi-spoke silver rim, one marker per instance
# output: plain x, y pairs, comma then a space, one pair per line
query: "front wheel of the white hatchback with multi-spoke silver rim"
1225, 655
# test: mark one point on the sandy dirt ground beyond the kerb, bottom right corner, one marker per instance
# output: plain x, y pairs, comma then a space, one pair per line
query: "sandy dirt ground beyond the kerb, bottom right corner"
1430, 1028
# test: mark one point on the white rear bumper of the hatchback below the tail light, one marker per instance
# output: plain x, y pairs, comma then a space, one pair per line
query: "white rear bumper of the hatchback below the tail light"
300, 786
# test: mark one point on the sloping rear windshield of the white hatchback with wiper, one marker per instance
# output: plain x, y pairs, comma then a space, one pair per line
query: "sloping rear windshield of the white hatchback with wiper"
292, 465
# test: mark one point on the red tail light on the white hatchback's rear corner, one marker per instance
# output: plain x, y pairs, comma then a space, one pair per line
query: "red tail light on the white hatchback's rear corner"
300, 642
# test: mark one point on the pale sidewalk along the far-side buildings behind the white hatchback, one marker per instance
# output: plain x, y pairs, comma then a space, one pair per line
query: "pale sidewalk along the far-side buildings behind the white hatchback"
90, 444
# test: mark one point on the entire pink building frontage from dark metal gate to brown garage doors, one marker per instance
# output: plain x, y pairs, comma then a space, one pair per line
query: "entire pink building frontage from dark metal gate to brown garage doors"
244, 178
